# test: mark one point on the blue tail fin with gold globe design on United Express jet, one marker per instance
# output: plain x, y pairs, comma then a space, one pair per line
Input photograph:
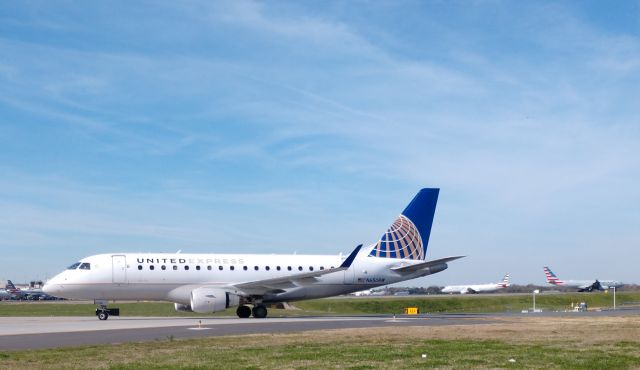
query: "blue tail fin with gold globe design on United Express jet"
408, 237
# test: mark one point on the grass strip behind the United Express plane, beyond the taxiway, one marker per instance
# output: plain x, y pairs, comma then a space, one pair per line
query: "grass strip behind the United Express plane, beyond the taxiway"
373, 305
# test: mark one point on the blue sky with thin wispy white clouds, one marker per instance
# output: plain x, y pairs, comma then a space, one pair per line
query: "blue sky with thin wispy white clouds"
283, 127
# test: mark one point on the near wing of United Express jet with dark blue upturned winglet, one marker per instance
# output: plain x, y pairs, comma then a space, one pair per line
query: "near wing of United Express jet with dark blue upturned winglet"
279, 284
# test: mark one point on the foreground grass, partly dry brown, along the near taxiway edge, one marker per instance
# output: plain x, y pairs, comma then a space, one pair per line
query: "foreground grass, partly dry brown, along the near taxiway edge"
524, 343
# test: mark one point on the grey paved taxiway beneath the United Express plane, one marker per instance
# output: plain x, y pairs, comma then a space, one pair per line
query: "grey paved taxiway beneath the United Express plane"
20, 333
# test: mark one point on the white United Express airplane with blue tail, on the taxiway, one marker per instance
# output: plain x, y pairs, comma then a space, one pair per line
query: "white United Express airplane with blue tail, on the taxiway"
207, 283
